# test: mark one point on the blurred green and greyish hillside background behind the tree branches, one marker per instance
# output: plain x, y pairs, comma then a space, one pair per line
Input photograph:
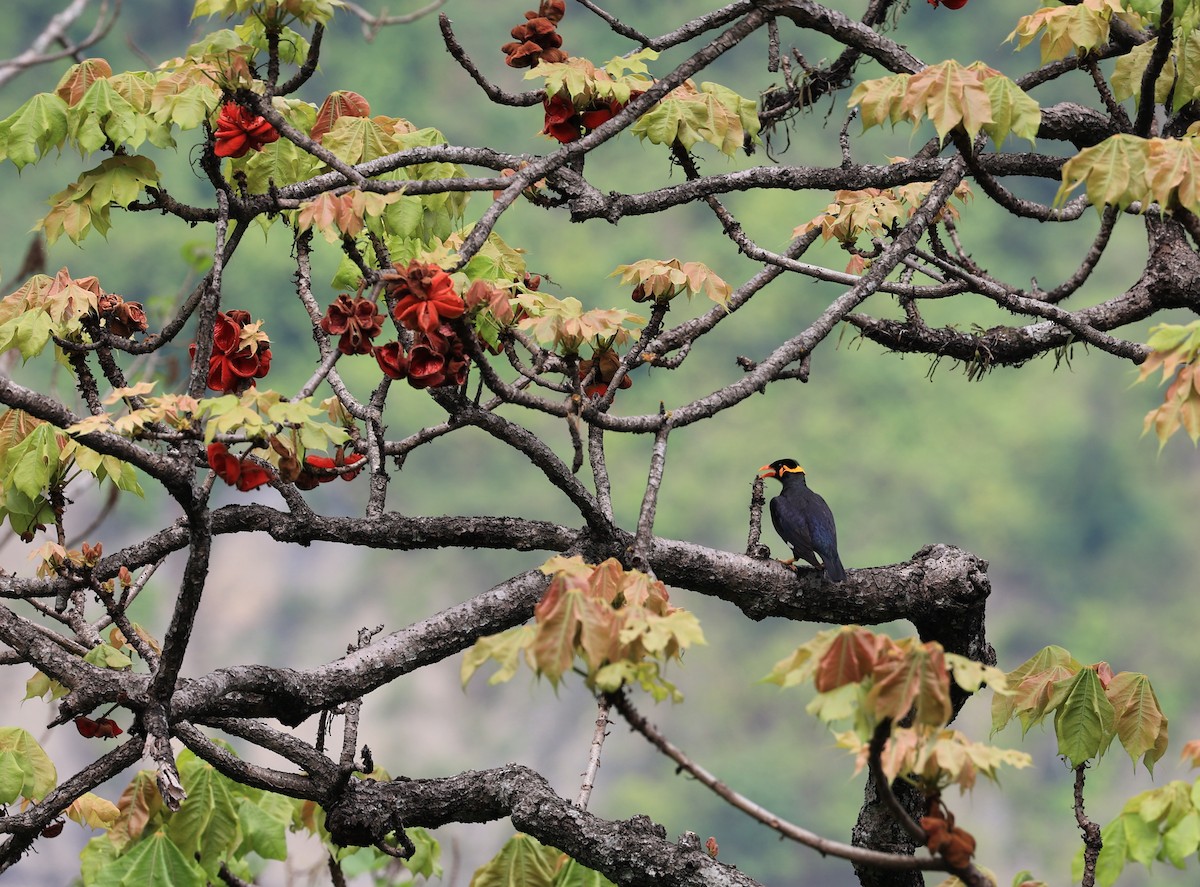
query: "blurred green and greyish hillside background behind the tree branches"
1090, 532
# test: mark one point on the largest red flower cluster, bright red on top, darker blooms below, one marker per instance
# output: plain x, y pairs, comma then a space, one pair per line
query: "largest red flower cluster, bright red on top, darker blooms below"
425, 302
